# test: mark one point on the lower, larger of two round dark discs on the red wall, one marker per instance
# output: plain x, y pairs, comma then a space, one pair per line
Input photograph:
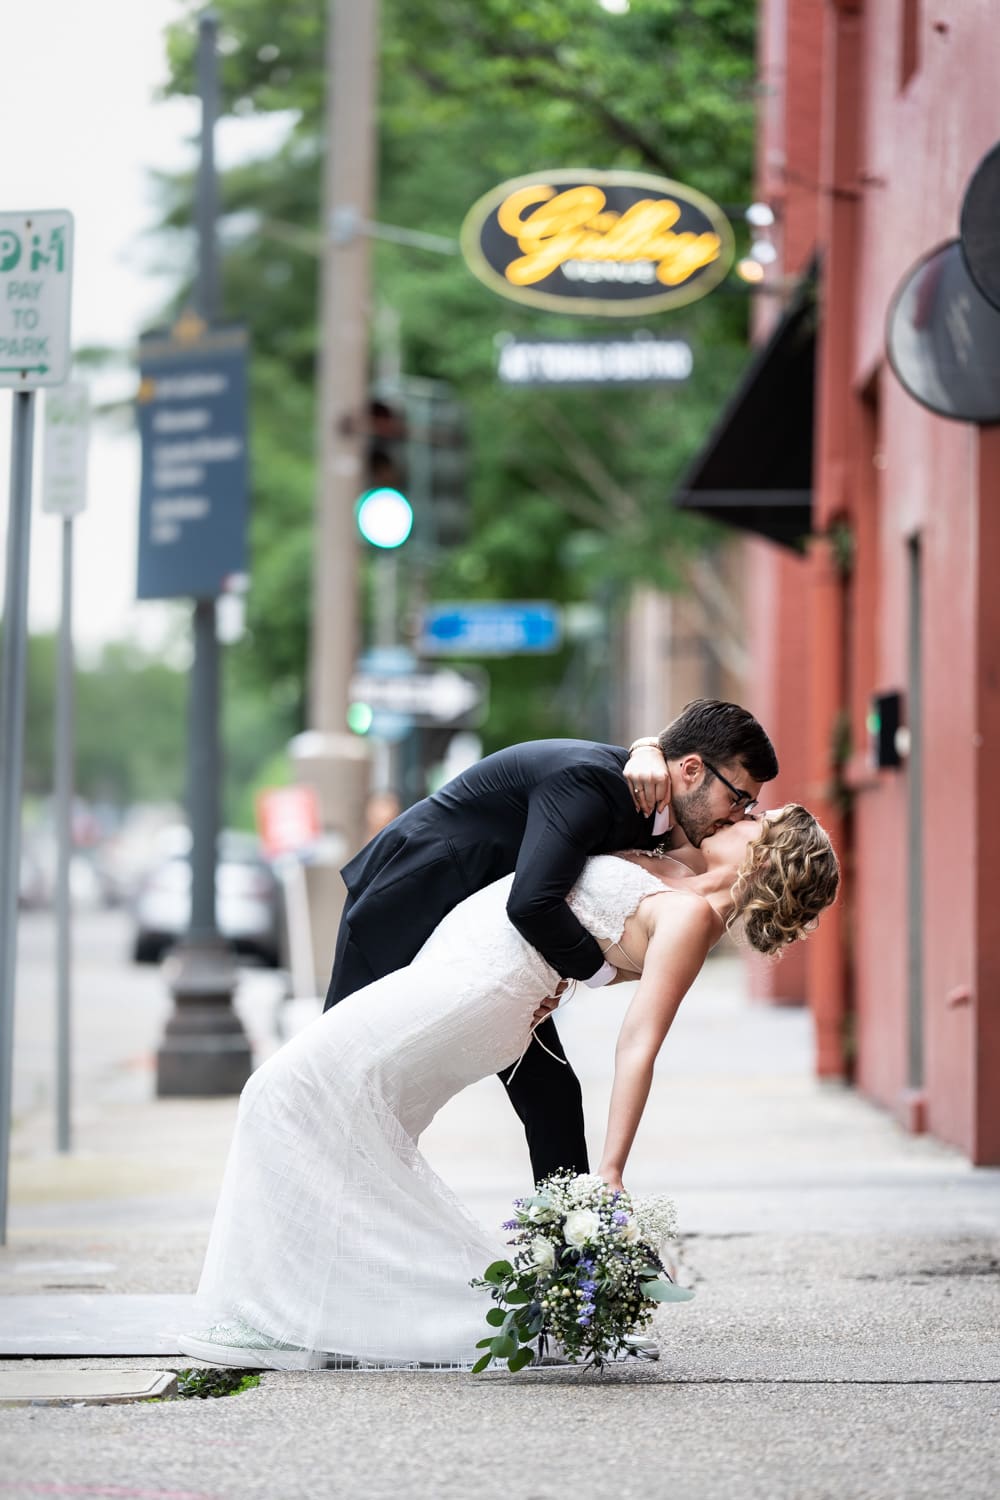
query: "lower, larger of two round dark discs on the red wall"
944, 338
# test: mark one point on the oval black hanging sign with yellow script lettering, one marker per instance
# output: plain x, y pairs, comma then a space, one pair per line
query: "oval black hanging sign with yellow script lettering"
611, 245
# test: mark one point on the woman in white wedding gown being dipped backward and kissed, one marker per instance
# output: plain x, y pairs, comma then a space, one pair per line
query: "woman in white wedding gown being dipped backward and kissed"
334, 1240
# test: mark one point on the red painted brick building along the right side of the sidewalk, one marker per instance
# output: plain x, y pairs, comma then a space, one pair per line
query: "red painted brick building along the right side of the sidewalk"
875, 116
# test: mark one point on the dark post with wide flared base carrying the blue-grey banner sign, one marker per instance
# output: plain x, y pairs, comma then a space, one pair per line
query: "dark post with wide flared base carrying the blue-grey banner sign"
205, 1048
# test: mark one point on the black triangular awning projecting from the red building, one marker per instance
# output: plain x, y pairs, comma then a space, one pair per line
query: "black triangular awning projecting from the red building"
756, 469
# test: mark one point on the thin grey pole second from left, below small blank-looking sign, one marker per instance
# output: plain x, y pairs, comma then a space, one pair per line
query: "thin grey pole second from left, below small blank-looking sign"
65, 727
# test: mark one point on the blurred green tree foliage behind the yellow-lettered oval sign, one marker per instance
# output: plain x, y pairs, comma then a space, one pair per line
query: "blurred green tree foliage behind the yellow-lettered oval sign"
475, 92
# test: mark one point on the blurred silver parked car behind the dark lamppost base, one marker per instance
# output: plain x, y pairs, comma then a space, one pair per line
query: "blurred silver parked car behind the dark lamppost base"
248, 899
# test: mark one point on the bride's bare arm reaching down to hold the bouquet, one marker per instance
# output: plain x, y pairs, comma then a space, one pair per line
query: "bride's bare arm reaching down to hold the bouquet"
684, 928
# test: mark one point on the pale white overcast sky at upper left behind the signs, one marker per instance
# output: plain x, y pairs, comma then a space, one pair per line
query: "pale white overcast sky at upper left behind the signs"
82, 130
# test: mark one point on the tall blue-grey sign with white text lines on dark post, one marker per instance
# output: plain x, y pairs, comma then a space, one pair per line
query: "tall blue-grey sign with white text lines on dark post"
194, 497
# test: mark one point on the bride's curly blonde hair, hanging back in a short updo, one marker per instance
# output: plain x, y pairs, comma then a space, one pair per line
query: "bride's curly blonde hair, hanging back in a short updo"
788, 878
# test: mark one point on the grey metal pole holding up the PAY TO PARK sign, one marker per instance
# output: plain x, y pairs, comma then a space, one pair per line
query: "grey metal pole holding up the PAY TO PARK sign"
13, 701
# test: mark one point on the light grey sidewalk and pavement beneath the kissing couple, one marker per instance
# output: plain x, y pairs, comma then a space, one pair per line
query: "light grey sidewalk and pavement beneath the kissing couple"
845, 1340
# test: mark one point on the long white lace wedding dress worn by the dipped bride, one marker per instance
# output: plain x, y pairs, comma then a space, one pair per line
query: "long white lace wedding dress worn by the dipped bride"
332, 1231
